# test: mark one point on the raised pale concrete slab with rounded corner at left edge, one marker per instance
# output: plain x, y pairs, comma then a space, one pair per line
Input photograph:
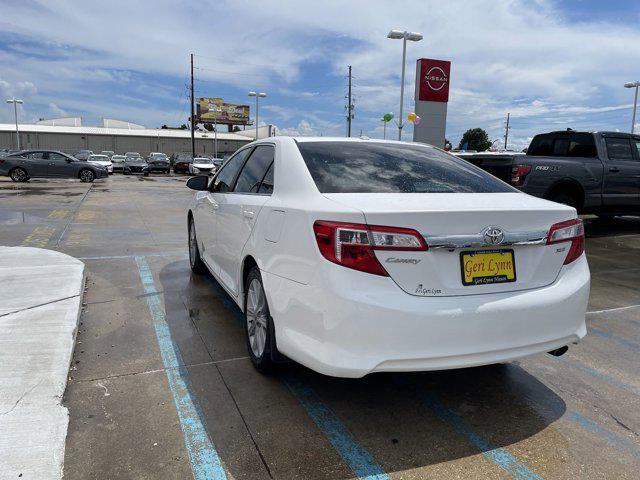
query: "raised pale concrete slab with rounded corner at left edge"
40, 303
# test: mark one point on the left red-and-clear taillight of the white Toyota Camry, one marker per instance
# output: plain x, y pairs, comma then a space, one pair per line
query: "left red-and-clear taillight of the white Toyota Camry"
352, 245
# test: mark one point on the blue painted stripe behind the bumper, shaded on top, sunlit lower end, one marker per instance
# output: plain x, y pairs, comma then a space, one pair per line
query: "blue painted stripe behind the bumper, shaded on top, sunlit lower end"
497, 455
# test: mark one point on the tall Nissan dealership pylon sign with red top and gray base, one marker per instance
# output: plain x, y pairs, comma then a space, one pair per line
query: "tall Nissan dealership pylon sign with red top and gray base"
431, 96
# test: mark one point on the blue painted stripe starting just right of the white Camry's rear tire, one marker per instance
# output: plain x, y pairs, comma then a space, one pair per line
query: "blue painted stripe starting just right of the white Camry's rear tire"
359, 460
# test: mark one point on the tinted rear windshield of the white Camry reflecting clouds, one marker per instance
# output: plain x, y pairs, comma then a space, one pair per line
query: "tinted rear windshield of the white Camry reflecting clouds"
359, 167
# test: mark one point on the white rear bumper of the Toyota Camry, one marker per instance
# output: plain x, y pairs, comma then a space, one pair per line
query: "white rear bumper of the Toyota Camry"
342, 326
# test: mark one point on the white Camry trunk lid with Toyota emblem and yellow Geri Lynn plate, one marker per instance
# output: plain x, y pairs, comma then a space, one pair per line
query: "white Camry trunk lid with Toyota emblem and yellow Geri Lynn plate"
458, 229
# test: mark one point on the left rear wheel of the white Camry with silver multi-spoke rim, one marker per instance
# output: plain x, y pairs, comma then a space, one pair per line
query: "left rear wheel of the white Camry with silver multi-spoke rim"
258, 324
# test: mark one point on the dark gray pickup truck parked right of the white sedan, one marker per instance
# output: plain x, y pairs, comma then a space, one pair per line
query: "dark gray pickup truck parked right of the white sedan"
595, 172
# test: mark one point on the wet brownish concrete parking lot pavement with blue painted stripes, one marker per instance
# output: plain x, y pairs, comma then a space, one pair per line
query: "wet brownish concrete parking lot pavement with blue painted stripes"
161, 387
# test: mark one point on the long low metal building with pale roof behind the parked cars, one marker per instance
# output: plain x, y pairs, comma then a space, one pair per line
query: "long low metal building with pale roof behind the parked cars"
120, 140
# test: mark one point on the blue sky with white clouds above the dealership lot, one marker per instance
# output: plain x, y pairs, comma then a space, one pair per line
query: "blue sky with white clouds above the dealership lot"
551, 63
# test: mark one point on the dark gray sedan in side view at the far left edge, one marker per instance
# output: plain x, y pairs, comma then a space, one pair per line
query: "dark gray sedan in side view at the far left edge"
28, 164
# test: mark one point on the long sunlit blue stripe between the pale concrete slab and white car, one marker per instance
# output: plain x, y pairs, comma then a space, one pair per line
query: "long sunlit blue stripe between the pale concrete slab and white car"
205, 462
